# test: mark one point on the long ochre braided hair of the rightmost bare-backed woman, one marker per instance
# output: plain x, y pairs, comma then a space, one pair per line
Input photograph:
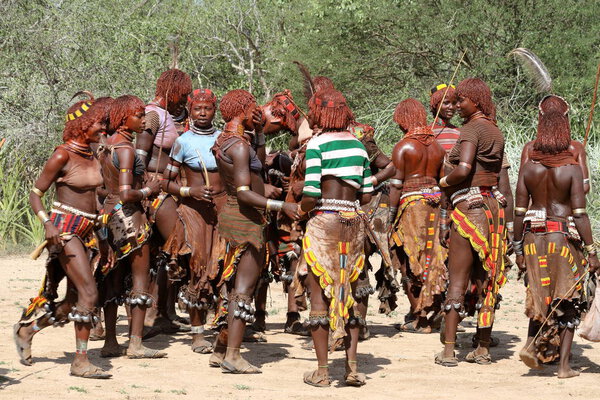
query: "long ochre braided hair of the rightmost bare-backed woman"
554, 130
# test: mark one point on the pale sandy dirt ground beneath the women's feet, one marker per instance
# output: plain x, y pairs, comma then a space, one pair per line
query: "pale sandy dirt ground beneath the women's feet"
397, 366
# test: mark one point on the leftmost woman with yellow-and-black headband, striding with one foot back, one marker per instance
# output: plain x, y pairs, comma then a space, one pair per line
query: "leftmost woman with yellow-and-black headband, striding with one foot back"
69, 232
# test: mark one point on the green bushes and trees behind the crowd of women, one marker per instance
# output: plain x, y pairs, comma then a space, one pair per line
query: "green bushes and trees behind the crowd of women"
377, 52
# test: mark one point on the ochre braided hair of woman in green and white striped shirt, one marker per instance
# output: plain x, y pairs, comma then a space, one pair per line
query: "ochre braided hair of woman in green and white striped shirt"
329, 111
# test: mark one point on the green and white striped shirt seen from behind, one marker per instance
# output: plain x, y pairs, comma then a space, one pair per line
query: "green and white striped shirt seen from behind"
337, 154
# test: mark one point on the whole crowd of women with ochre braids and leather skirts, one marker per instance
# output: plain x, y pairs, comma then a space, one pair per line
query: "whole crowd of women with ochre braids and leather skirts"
155, 205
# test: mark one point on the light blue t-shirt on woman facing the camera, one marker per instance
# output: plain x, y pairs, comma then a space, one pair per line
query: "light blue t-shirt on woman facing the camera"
187, 147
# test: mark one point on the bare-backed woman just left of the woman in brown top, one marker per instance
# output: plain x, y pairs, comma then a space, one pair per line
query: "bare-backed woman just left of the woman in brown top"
415, 197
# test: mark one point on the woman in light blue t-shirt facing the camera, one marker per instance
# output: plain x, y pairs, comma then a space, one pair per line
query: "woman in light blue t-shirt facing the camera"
195, 233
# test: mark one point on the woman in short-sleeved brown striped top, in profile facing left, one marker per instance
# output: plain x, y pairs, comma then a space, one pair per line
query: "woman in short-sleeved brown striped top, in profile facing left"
477, 234
